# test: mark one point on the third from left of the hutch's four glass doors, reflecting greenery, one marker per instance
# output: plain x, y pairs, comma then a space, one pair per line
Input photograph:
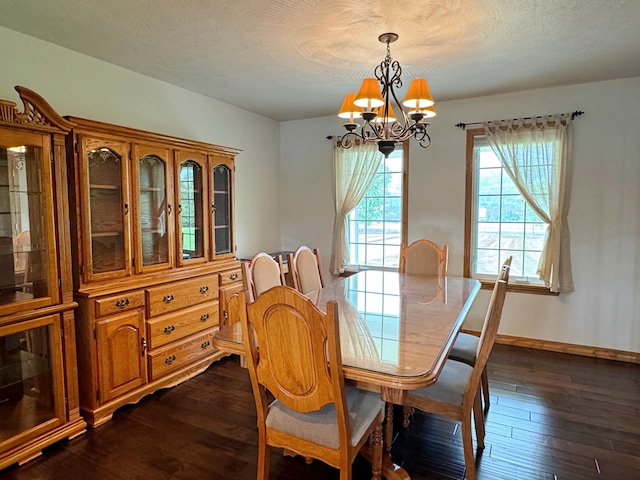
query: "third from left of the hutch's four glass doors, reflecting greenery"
191, 195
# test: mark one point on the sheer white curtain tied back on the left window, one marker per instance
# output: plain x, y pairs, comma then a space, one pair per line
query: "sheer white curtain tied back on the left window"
354, 170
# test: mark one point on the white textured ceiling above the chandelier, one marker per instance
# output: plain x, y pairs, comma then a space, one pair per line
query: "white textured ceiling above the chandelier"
294, 59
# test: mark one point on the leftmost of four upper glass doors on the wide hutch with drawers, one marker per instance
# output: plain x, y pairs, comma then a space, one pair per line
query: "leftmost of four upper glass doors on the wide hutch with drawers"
108, 208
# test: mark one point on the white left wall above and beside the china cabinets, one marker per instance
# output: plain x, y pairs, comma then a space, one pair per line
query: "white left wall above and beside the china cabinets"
81, 86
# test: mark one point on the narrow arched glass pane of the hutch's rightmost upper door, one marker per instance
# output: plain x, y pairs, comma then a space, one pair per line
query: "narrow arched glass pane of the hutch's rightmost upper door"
222, 209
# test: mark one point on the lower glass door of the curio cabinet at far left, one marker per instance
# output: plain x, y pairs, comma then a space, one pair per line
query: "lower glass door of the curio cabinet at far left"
30, 380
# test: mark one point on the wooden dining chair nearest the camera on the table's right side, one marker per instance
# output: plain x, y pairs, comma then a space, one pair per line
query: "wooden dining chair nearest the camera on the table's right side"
456, 392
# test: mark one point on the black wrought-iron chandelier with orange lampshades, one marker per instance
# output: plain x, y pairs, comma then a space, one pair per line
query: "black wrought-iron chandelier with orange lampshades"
377, 107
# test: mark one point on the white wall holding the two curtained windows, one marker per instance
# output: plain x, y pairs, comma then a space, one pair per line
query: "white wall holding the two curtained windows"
604, 218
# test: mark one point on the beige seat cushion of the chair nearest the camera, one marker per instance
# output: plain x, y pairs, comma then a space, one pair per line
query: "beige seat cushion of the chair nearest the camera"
321, 426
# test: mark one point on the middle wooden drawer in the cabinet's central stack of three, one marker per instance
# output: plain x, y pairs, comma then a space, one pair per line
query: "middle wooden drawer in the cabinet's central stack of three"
174, 326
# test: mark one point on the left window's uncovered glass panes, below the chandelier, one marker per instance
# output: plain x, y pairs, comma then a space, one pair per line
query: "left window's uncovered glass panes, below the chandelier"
377, 226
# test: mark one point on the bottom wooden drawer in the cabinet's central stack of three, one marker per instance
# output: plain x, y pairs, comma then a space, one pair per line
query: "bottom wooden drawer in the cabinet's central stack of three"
167, 360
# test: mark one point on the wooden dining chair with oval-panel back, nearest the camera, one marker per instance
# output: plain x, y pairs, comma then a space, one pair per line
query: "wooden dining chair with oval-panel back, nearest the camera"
293, 353
